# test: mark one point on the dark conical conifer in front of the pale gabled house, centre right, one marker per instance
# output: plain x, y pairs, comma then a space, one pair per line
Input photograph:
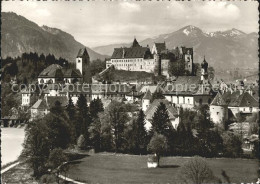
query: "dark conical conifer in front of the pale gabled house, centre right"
161, 122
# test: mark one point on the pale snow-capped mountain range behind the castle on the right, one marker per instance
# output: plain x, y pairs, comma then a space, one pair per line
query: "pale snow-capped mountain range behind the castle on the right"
222, 49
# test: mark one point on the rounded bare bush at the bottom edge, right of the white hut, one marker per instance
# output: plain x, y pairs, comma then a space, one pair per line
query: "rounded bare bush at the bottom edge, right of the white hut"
196, 170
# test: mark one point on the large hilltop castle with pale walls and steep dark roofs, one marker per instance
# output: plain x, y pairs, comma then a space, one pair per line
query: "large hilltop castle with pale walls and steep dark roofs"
138, 58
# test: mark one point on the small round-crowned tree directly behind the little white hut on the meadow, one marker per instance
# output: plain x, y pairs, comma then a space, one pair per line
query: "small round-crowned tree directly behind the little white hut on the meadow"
158, 145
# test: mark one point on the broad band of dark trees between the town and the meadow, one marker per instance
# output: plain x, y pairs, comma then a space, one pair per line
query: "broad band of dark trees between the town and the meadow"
121, 128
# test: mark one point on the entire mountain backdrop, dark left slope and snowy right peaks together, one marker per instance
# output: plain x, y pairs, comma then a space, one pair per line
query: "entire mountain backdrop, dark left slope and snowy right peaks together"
222, 49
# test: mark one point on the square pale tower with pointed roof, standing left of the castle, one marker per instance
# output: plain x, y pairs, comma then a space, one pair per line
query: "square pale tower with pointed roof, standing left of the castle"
83, 65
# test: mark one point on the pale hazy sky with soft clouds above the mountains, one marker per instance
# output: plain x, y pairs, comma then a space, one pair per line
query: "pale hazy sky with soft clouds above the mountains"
98, 23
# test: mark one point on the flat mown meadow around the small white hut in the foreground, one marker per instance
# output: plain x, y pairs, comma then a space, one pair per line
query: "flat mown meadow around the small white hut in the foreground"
109, 168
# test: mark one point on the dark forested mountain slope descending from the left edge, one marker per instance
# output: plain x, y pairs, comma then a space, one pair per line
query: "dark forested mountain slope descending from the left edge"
19, 35
